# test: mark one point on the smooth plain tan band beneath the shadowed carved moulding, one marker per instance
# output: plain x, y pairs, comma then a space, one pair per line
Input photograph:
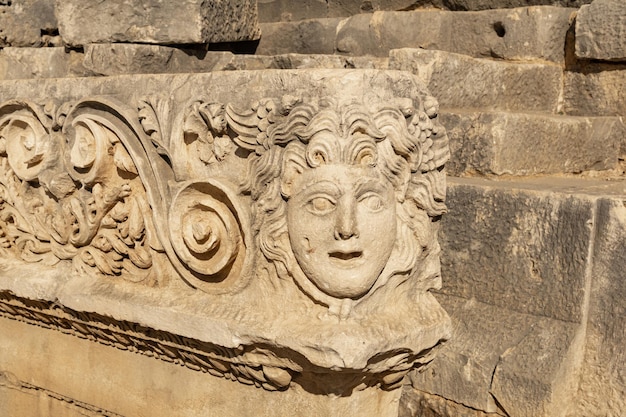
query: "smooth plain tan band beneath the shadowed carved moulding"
124, 383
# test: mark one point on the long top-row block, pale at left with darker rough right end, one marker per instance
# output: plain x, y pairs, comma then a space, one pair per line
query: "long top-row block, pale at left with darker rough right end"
190, 21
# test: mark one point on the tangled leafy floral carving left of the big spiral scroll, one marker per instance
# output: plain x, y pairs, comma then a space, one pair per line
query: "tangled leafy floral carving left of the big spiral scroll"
70, 192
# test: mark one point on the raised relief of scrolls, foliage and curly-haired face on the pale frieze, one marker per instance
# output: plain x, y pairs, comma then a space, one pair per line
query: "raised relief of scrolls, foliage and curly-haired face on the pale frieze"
309, 218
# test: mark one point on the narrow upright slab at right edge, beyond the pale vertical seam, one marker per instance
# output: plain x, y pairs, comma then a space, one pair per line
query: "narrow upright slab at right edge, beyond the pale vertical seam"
603, 384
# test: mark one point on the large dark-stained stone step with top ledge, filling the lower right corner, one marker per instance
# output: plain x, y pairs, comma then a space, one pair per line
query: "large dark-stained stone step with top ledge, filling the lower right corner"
533, 280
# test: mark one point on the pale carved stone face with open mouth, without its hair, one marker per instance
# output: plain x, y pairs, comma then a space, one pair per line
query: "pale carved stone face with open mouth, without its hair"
342, 227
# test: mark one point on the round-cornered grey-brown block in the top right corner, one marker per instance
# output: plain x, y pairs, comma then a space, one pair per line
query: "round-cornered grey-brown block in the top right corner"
601, 31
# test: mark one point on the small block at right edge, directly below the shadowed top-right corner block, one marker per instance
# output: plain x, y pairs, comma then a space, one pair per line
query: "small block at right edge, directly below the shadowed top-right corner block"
596, 92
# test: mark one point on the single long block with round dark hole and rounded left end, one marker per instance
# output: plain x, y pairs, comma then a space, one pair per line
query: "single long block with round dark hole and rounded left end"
531, 33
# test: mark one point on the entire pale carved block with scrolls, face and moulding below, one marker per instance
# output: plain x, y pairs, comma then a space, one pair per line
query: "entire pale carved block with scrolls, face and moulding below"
273, 234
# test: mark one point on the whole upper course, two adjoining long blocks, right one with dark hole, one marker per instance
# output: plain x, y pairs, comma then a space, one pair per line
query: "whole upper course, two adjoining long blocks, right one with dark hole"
530, 33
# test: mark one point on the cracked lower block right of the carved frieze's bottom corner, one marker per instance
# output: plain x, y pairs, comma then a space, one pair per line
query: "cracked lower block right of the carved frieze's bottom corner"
522, 361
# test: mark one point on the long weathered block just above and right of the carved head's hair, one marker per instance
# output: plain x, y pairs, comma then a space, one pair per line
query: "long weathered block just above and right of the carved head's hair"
482, 84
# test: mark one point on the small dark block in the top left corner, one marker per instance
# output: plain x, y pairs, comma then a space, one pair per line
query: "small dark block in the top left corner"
27, 23
